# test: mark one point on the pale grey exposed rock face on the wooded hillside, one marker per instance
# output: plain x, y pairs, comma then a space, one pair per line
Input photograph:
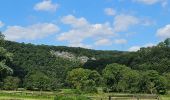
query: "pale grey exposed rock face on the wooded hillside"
70, 56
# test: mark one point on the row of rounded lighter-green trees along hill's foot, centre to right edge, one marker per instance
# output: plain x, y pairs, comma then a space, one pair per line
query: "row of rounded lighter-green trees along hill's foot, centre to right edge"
118, 78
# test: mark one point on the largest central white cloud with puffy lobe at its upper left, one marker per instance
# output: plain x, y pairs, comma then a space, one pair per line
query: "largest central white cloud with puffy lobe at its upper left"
81, 29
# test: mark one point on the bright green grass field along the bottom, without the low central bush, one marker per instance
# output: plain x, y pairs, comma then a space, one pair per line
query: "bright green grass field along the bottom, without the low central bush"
32, 95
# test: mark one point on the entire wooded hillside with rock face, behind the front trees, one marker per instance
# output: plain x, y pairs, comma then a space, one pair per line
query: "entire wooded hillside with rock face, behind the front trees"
46, 67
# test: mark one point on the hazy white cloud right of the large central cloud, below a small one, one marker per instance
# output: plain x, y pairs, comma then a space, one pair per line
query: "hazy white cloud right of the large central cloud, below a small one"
123, 22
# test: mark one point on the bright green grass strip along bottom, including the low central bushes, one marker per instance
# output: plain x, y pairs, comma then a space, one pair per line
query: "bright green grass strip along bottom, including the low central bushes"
66, 94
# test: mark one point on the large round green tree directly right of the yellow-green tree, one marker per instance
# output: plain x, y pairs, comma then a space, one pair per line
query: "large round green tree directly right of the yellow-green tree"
119, 78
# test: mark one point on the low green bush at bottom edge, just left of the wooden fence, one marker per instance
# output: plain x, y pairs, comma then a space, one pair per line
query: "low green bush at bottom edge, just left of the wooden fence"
75, 97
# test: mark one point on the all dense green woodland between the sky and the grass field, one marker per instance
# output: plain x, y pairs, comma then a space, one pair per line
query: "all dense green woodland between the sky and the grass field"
50, 68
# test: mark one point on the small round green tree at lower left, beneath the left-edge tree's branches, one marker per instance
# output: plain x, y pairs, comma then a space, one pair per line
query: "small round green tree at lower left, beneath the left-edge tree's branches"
11, 83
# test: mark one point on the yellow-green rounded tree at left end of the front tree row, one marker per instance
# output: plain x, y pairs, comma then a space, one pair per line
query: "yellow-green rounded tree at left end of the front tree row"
83, 79
